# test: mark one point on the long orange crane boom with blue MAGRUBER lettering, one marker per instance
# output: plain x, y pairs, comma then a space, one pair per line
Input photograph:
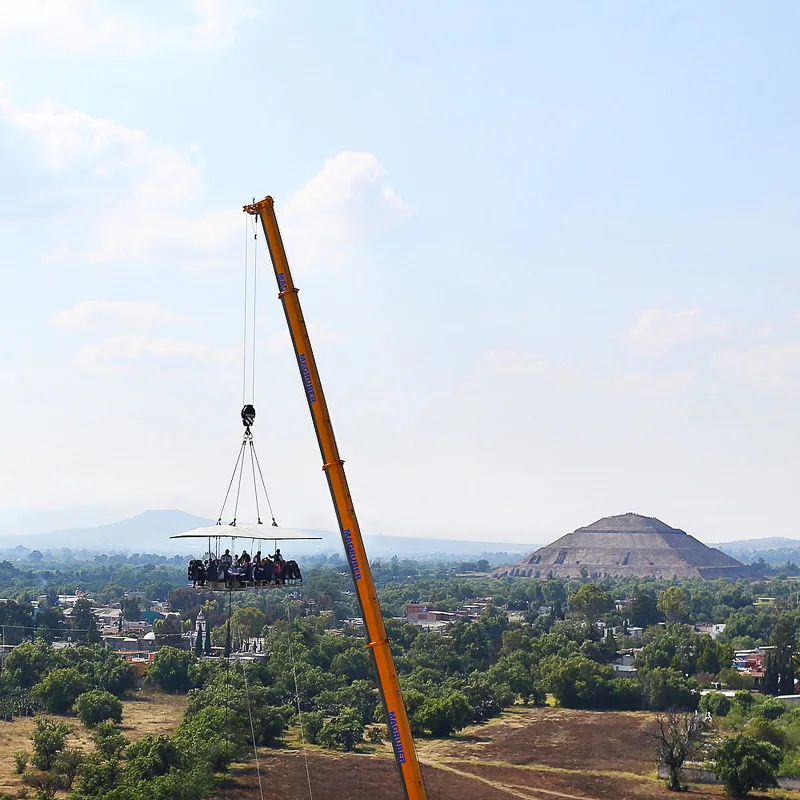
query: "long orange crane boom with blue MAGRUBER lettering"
397, 719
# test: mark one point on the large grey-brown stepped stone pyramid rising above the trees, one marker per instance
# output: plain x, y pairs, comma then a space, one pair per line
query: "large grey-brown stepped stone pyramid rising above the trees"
628, 545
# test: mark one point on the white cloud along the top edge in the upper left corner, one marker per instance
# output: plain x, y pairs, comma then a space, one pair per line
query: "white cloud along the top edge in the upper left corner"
86, 25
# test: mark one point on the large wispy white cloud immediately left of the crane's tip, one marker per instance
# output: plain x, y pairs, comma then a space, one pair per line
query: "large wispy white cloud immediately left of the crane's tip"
142, 181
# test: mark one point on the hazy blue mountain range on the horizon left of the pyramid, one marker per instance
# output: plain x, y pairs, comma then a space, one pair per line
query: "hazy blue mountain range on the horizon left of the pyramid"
149, 532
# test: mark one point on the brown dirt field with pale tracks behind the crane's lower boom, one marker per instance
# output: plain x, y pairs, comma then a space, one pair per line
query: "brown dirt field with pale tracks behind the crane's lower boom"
534, 754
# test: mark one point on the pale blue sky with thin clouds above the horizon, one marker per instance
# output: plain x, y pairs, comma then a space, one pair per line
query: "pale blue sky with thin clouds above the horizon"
546, 253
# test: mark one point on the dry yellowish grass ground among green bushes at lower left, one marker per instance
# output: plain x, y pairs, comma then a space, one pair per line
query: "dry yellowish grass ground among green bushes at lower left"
144, 713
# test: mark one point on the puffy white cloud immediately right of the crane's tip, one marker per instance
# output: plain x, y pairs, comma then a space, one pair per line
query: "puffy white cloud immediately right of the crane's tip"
338, 208
